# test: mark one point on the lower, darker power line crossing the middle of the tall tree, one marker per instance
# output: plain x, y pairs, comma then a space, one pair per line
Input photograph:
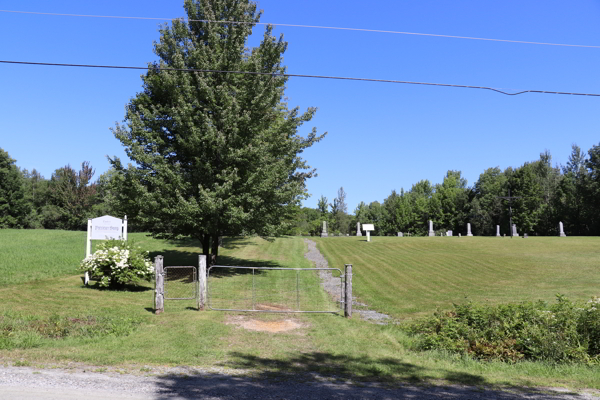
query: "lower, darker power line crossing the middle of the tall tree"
302, 76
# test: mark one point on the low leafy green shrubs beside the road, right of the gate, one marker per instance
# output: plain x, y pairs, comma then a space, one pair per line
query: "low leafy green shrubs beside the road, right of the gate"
562, 332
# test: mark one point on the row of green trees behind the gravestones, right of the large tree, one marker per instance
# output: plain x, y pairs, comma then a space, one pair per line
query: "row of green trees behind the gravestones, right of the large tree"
544, 195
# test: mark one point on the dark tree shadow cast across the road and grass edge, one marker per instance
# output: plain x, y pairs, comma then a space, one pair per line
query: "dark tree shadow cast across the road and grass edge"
327, 376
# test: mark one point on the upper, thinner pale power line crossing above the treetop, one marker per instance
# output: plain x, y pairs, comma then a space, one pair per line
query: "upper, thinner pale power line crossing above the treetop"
311, 26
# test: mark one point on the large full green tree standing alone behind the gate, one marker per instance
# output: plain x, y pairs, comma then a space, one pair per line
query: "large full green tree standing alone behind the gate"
215, 153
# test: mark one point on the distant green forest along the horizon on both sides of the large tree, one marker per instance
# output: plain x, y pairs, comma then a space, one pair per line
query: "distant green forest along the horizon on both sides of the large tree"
545, 194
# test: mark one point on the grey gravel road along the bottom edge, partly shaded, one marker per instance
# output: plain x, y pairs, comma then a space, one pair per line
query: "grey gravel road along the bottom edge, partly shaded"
24, 383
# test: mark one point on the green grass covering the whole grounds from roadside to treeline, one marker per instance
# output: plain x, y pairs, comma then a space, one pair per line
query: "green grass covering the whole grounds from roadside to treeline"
400, 276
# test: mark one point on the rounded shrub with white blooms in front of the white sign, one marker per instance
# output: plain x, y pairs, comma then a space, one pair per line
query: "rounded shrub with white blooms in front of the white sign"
116, 263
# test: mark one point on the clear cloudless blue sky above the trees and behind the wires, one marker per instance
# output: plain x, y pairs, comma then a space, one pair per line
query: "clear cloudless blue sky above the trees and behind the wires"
380, 136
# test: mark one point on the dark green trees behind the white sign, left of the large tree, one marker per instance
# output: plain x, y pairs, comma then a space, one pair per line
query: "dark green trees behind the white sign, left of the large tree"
64, 201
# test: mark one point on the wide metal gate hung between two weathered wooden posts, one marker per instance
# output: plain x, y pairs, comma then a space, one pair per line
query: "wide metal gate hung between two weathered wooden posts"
274, 290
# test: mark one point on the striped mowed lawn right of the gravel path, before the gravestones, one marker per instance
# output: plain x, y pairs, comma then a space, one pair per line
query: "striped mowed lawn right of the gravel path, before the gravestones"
409, 276
